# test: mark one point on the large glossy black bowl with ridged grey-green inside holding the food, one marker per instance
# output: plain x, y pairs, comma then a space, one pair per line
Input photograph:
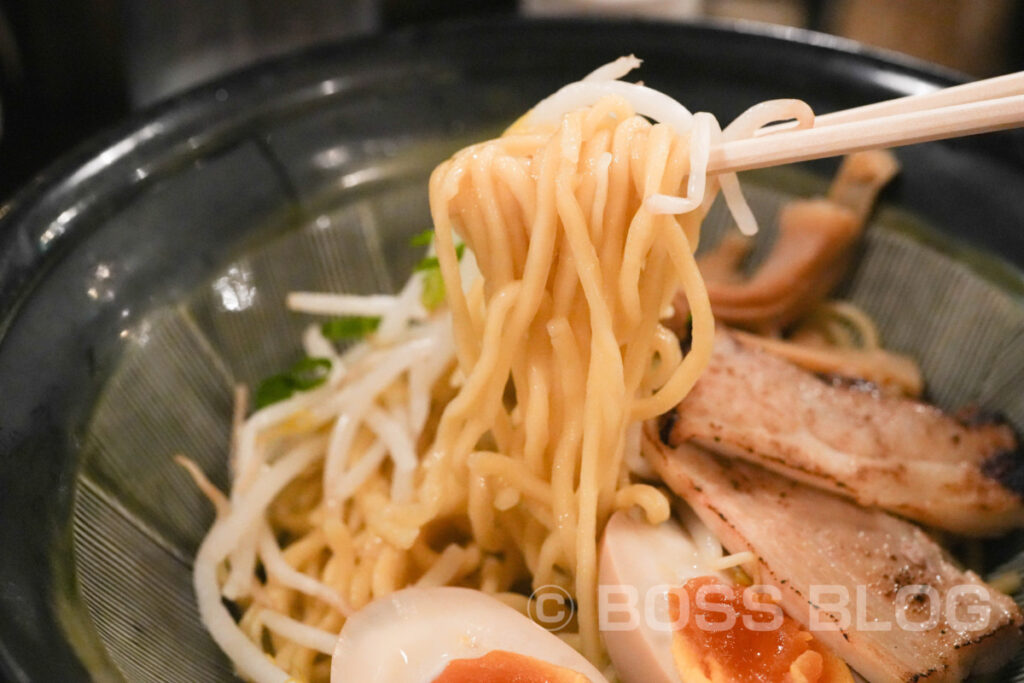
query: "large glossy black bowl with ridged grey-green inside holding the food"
143, 275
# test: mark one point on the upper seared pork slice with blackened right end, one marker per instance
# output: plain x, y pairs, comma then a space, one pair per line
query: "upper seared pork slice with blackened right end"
881, 451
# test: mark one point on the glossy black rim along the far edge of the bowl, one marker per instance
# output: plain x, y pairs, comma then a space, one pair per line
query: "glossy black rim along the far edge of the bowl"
46, 199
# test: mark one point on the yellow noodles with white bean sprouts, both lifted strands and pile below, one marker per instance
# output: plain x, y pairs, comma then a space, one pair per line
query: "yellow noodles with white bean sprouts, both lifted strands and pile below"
487, 444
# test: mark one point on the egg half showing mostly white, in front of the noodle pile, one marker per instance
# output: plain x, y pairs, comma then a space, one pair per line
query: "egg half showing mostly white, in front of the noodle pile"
452, 635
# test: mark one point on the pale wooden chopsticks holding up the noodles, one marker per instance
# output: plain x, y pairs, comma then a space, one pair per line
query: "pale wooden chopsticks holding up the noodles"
966, 110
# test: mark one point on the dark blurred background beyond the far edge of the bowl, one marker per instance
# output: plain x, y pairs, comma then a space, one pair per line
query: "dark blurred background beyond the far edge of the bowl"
70, 68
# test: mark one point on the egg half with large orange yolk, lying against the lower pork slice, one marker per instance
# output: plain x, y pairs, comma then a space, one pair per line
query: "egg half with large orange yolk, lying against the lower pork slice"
666, 605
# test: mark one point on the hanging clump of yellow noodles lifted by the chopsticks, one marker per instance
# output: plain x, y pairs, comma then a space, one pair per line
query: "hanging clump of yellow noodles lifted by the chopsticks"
574, 287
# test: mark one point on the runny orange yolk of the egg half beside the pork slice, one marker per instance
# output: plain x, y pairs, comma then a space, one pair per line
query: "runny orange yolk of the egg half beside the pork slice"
708, 649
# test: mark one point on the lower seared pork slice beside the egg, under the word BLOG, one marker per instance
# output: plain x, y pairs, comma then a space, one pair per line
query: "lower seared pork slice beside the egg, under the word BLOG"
874, 588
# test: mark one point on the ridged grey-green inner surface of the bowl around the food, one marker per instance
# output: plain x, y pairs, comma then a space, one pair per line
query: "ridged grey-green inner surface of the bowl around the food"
138, 519
